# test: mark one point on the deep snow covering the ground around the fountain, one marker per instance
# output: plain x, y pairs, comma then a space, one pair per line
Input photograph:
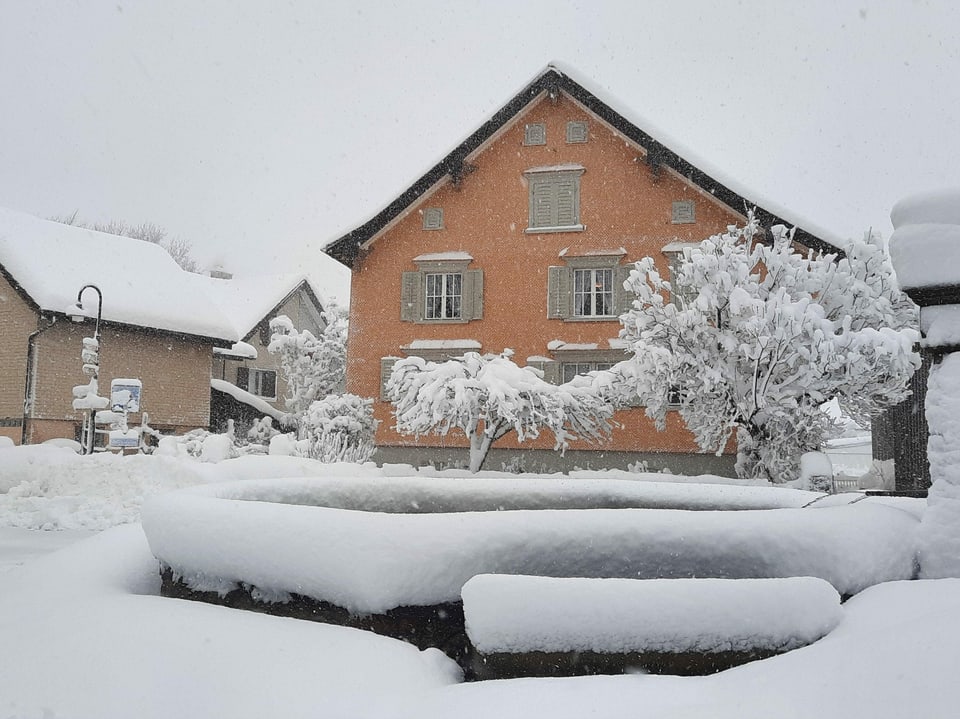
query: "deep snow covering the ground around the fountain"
85, 634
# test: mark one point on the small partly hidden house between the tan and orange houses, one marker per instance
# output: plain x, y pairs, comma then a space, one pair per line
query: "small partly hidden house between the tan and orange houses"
251, 303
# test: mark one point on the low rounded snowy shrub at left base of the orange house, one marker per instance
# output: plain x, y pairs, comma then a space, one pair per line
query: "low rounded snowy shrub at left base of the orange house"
338, 428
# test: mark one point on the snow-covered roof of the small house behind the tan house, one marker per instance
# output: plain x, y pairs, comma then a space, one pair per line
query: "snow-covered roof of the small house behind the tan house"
248, 300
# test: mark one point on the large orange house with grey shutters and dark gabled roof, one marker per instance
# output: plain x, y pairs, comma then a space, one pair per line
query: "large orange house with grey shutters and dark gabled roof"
521, 237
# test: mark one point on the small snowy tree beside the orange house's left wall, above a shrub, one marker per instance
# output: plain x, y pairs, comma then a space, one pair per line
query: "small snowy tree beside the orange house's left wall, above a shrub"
313, 366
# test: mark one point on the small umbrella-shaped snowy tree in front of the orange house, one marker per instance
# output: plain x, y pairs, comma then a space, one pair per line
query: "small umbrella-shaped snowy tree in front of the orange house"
488, 396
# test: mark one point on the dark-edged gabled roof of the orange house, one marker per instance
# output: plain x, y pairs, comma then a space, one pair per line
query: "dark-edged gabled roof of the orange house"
553, 80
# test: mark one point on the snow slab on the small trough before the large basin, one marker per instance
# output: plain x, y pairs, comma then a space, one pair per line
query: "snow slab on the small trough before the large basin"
514, 614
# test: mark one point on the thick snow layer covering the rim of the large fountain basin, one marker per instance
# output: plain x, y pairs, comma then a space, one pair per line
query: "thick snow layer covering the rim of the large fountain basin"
274, 536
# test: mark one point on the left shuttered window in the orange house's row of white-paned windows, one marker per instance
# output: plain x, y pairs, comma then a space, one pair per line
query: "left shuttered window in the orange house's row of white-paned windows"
442, 290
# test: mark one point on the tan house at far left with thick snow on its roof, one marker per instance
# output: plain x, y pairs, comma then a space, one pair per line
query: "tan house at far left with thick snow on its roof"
158, 326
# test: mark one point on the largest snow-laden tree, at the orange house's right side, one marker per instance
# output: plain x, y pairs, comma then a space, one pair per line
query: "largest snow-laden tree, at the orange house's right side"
751, 339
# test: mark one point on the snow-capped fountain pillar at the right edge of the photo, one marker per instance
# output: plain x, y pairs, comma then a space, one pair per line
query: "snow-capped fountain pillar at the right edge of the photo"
925, 248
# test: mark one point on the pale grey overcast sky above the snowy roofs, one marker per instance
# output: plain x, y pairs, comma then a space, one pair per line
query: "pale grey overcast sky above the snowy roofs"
260, 131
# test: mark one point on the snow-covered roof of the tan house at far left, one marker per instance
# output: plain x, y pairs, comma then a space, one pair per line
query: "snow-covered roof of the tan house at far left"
140, 282
